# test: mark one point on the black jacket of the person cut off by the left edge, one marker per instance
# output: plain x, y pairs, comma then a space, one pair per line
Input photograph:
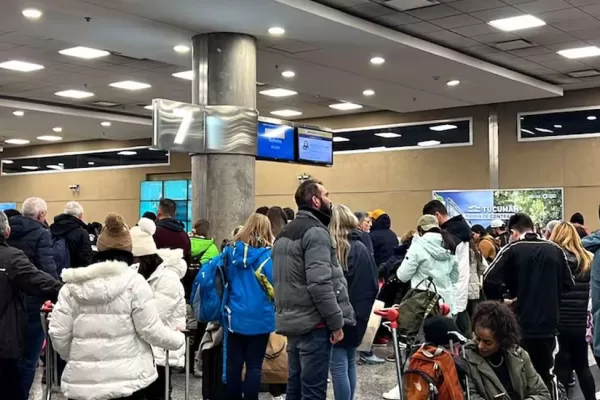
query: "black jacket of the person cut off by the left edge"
18, 276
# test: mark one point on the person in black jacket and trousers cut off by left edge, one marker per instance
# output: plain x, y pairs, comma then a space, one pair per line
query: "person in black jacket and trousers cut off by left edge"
17, 276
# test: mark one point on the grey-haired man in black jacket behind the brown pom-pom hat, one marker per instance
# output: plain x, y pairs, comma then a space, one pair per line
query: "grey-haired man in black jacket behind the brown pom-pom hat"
71, 240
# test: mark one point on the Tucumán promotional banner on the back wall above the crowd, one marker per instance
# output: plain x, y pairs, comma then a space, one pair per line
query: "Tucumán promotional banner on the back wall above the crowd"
483, 206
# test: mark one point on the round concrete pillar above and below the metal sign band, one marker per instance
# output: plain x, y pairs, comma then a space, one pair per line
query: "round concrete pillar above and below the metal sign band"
223, 184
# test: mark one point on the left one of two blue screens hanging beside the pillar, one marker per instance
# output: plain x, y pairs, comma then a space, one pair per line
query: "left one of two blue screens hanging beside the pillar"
275, 141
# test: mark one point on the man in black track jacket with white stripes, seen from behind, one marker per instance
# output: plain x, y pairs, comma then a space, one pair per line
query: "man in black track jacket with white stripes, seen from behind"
532, 273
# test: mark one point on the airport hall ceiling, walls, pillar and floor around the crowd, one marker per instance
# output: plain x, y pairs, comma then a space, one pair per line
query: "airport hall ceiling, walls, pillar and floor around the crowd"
491, 106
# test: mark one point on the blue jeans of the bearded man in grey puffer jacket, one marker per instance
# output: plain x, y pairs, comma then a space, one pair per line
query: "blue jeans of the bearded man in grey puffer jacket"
308, 359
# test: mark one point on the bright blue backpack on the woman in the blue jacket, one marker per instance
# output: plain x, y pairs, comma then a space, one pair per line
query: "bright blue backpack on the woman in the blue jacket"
209, 291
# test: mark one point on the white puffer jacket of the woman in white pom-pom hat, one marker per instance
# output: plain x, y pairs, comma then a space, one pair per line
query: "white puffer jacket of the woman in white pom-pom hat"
169, 297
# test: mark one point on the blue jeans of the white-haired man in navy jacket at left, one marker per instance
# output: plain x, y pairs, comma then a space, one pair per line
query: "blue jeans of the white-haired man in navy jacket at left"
35, 339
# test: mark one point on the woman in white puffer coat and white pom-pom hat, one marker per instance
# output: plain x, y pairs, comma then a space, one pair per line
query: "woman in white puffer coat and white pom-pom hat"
163, 269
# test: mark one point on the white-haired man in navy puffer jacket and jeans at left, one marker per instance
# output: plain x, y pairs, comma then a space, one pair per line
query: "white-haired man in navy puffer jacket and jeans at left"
29, 234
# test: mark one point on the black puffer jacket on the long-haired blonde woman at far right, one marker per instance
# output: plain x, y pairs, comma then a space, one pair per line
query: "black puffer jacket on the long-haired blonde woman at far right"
574, 304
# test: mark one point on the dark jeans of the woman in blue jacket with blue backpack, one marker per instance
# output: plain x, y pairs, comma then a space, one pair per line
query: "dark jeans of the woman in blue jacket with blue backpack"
249, 350
